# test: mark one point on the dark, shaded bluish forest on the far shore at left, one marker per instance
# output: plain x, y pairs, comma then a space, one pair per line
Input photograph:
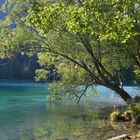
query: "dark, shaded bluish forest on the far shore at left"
20, 68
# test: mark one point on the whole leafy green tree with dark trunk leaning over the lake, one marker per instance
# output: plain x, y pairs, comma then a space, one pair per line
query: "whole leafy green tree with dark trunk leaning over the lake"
87, 41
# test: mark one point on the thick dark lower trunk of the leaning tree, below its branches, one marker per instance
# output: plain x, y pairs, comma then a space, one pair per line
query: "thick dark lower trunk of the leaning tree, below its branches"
121, 92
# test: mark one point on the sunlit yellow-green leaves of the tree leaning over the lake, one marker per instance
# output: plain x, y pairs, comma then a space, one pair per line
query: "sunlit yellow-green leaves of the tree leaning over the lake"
108, 25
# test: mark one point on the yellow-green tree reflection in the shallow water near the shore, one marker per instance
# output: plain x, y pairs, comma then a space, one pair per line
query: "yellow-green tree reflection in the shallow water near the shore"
67, 122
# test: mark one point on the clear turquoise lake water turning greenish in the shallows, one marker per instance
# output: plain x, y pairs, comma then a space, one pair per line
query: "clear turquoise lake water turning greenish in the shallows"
25, 114
